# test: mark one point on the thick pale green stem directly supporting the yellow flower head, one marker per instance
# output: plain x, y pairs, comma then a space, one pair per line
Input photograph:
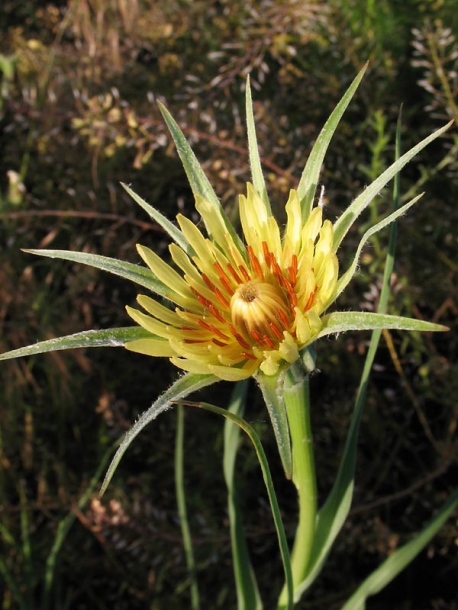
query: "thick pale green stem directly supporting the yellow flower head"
297, 400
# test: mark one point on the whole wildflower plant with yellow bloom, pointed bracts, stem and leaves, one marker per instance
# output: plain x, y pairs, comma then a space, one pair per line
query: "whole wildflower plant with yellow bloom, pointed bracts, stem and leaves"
234, 306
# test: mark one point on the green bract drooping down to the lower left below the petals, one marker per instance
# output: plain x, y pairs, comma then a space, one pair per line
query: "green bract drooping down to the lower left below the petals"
180, 389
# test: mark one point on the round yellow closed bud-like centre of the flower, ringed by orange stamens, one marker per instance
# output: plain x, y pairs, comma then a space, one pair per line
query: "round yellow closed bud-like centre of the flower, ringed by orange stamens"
260, 313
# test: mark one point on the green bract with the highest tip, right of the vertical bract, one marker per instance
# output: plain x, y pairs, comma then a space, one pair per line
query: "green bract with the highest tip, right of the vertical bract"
310, 176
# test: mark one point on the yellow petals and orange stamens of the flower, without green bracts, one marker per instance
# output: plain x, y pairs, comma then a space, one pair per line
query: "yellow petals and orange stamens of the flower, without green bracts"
240, 308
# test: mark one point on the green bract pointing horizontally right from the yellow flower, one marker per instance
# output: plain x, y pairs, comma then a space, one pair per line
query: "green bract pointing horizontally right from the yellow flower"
343, 321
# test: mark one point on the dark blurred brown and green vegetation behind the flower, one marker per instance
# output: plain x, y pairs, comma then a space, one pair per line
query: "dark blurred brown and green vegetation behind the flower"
79, 80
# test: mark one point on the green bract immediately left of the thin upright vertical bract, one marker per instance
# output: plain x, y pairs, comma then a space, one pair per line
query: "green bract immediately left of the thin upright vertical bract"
198, 181
